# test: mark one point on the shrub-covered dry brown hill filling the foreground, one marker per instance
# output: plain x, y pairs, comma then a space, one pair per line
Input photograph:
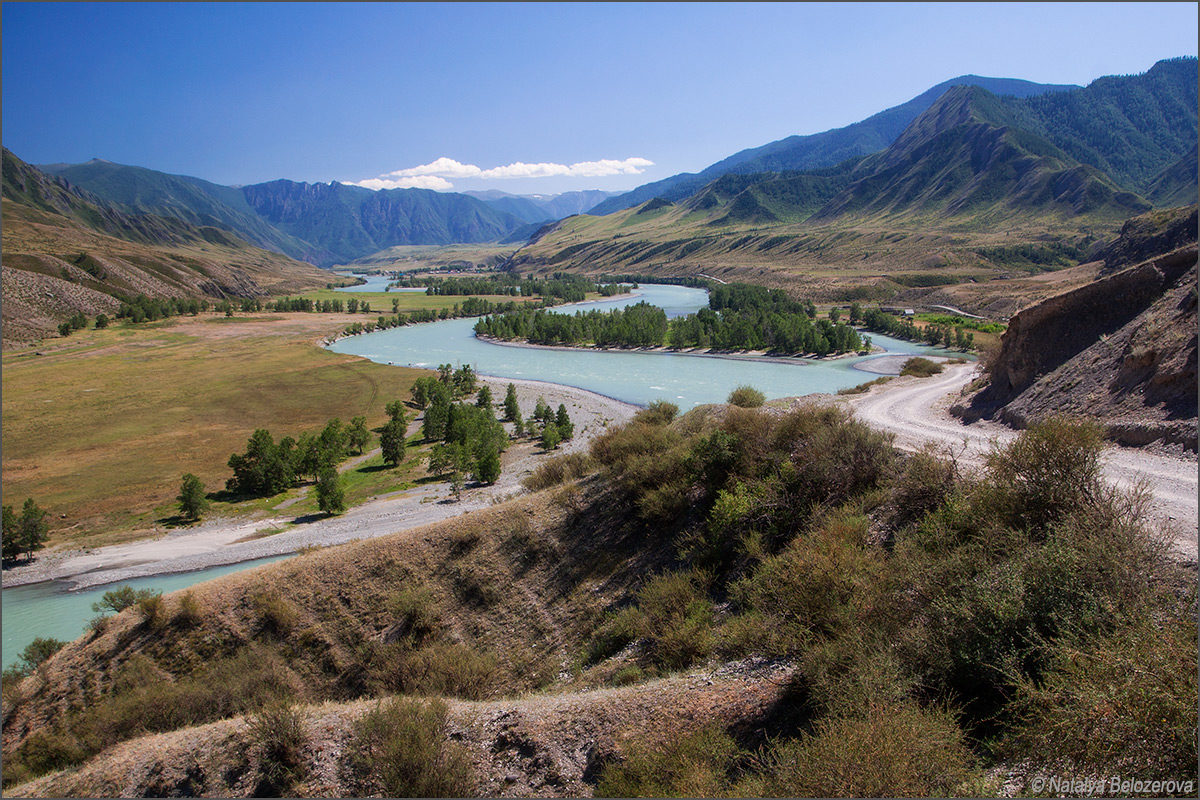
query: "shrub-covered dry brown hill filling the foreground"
736, 603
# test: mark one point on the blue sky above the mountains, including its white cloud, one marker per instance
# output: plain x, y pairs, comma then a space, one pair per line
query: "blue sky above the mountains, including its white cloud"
579, 95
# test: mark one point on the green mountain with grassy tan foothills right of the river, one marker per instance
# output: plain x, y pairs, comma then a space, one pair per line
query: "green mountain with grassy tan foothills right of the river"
975, 183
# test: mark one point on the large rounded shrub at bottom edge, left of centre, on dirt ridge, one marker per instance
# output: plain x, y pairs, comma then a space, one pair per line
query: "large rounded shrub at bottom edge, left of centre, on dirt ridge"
400, 749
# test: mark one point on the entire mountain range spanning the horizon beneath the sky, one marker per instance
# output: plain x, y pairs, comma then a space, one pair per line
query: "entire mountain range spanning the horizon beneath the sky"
970, 152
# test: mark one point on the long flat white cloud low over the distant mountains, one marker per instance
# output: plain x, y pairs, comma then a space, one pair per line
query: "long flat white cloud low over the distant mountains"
435, 175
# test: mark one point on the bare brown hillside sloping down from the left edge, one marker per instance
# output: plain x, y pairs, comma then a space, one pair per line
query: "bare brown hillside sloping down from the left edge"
67, 251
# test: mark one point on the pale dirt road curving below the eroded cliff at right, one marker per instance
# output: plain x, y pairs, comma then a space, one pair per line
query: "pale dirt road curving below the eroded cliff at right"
915, 410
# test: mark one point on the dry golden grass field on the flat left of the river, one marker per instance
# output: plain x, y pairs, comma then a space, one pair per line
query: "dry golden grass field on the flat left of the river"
99, 428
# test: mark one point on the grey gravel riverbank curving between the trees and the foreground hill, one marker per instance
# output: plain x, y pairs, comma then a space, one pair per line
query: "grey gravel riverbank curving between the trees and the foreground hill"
232, 542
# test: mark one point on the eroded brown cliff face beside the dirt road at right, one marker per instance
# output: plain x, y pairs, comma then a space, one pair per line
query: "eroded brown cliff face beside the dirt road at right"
1121, 351
